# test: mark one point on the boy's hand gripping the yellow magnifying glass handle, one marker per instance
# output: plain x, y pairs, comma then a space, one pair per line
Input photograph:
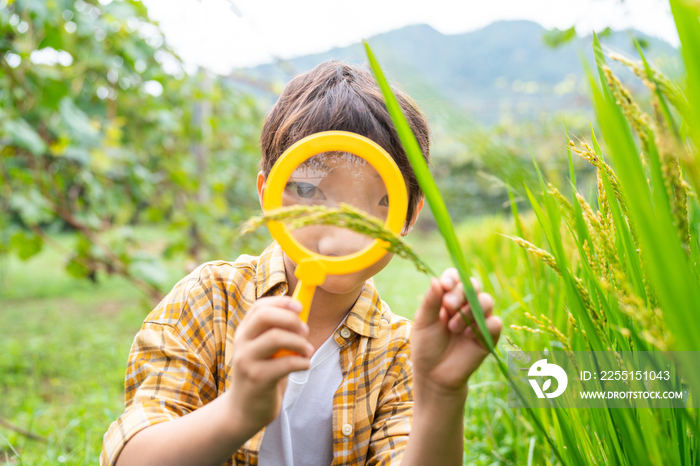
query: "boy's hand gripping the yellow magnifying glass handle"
258, 380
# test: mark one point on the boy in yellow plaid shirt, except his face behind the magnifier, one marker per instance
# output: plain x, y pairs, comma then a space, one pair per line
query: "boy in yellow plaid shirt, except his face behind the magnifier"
202, 360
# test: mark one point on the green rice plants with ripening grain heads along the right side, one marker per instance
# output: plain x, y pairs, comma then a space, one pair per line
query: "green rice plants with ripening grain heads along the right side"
627, 264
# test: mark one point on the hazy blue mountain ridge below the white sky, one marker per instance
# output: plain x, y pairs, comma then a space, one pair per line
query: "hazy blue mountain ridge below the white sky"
501, 71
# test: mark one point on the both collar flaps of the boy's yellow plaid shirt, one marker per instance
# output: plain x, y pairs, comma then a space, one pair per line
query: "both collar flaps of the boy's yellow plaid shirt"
271, 280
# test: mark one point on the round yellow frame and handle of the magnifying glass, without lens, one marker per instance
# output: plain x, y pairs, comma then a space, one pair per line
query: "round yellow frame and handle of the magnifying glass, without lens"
312, 268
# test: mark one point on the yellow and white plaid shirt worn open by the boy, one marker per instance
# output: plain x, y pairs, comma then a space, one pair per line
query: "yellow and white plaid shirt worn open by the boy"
180, 361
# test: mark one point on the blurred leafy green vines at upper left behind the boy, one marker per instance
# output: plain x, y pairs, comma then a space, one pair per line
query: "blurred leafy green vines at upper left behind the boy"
101, 129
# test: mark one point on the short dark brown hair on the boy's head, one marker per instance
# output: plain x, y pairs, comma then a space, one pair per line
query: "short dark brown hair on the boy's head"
342, 97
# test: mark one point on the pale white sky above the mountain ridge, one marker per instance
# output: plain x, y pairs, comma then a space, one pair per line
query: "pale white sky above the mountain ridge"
222, 35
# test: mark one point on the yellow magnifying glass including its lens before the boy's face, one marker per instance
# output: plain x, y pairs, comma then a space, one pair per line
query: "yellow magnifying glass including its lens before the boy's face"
330, 168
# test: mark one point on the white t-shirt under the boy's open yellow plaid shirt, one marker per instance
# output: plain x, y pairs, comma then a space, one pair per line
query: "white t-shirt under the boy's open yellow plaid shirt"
302, 434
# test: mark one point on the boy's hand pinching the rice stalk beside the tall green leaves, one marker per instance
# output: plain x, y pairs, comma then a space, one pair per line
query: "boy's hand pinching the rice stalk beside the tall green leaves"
445, 351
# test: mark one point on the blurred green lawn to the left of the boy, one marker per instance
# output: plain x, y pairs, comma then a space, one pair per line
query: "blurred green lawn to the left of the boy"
62, 357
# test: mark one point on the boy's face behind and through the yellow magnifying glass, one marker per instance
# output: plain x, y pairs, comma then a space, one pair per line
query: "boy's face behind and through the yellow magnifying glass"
329, 179
